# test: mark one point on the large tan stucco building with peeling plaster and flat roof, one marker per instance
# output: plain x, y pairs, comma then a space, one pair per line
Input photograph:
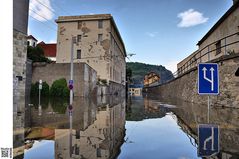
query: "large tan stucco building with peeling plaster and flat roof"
98, 43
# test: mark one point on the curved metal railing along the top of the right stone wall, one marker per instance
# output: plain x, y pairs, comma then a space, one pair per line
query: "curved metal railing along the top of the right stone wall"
211, 51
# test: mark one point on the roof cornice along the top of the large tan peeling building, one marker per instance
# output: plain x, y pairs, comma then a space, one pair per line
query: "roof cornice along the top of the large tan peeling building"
62, 19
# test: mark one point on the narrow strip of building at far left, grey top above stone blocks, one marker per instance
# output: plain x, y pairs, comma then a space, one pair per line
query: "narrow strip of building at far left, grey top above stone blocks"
20, 23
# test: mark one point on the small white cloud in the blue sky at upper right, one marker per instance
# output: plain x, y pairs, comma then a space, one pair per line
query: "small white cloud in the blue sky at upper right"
191, 18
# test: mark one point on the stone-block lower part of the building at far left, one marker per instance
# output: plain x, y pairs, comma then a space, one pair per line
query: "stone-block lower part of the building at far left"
19, 79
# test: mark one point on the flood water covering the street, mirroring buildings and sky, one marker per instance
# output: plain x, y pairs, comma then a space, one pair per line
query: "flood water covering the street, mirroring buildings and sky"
113, 127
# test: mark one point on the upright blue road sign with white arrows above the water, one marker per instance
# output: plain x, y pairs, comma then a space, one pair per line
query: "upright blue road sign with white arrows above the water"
208, 79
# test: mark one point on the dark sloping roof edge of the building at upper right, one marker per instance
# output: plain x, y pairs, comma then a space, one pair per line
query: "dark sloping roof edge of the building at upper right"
218, 23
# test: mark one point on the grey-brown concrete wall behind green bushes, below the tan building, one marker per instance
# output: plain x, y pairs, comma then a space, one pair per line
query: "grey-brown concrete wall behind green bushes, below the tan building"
84, 76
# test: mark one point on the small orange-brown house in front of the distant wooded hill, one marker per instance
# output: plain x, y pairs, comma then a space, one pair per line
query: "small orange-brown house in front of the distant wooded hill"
151, 79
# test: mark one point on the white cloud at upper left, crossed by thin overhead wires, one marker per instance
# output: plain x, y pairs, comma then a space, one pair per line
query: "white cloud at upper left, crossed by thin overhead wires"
38, 11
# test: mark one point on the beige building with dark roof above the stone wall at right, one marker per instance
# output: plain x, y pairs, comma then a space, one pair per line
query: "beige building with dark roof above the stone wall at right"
221, 39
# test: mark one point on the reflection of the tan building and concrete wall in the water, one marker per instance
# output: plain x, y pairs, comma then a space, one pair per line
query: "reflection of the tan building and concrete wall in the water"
97, 127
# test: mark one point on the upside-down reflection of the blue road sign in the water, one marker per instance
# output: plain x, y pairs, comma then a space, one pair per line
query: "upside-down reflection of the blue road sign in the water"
208, 140
